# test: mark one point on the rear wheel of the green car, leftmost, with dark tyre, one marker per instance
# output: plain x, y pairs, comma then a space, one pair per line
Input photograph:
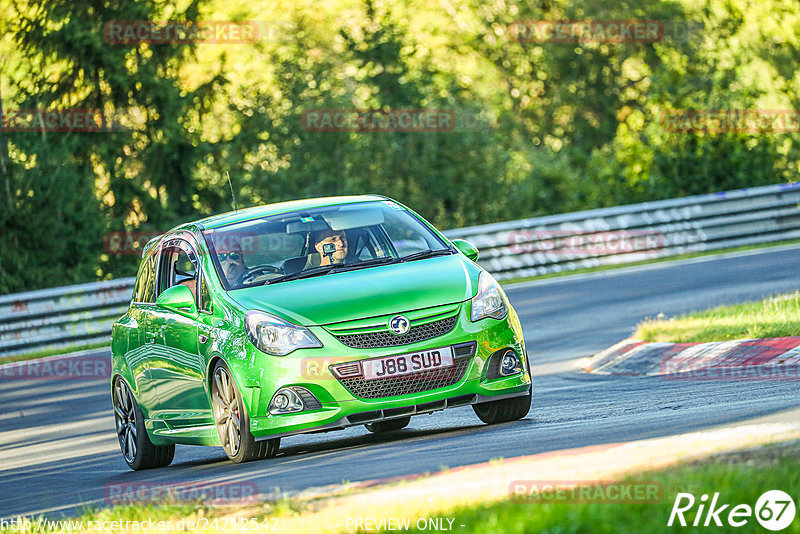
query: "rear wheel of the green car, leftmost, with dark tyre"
137, 449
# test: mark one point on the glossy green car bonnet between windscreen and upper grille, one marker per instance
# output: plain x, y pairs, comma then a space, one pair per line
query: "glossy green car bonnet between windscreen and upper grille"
367, 292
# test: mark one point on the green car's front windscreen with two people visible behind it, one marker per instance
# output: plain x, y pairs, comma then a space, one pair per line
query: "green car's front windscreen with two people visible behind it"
319, 241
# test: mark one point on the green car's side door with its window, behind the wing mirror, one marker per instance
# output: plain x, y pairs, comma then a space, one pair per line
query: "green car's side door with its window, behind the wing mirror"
176, 366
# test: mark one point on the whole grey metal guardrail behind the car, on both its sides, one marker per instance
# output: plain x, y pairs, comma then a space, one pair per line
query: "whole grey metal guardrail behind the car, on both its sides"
82, 314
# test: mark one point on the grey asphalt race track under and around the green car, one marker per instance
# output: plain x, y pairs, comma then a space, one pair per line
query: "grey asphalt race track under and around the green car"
58, 449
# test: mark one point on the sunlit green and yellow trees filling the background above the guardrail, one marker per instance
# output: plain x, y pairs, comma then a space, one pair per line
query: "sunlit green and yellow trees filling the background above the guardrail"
541, 127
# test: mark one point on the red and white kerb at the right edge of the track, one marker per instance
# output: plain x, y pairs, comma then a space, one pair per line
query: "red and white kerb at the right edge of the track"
777, 358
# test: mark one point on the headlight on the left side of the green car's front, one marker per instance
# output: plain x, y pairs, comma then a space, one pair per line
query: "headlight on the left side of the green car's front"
277, 337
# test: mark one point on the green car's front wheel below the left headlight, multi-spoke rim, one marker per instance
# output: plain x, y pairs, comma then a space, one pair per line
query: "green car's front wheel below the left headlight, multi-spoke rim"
233, 422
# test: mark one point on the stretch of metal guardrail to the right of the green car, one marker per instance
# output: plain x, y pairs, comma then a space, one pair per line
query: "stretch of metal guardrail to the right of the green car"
635, 232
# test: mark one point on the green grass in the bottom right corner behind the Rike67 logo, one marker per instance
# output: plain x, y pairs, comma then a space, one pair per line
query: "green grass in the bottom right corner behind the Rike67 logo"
739, 478
